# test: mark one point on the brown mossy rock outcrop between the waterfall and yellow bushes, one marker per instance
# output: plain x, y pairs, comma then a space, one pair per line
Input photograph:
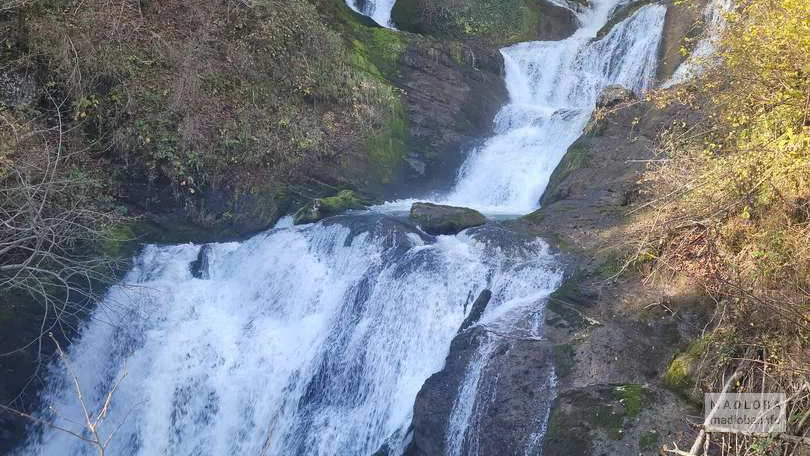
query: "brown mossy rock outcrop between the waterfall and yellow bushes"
612, 342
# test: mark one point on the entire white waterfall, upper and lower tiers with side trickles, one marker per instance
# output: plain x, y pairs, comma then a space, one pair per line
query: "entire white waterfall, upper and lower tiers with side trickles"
315, 340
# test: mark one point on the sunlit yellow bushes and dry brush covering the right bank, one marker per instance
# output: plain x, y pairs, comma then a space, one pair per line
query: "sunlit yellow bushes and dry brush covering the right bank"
730, 208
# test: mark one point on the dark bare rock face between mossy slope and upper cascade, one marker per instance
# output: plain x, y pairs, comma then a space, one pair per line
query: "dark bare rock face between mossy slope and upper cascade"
452, 91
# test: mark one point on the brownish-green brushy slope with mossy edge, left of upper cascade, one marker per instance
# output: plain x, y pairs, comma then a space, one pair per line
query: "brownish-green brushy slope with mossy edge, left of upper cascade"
279, 92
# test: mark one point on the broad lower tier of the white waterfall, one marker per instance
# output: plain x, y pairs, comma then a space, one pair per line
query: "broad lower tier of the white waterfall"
310, 341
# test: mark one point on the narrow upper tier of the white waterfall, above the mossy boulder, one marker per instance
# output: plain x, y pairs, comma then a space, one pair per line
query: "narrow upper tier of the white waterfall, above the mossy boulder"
553, 87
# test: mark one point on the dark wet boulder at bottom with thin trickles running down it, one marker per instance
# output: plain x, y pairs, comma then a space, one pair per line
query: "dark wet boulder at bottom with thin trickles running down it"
508, 405
